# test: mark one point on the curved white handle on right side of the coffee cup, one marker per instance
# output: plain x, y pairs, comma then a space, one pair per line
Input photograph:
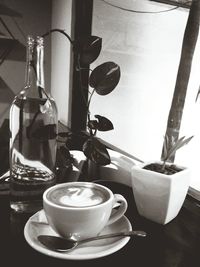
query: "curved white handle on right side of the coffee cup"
121, 203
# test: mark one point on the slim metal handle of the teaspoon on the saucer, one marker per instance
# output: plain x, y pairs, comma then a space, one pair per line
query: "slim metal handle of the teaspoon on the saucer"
127, 233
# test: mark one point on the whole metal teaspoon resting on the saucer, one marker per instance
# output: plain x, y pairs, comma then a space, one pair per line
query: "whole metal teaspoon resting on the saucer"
63, 245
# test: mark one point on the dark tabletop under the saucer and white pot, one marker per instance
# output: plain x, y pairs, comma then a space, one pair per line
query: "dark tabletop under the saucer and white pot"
171, 245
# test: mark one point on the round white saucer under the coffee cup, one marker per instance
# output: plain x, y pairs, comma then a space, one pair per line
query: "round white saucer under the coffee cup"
37, 225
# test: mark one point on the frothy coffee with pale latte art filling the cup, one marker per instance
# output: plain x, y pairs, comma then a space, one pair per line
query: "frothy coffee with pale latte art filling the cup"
78, 196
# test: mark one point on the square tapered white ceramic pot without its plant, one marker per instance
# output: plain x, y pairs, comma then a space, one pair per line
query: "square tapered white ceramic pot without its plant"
159, 197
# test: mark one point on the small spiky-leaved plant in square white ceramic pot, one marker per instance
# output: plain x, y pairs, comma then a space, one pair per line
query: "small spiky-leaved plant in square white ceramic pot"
160, 187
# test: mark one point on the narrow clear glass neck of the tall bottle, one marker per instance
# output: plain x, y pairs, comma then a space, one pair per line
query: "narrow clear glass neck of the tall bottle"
34, 76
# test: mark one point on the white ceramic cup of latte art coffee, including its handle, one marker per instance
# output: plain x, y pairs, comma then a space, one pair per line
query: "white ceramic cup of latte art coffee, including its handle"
80, 210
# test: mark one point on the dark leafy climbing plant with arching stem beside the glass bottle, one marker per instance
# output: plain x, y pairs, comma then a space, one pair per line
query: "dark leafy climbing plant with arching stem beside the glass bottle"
102, 81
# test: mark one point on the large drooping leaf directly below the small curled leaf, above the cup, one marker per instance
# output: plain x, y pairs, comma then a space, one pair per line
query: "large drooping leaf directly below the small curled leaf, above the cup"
96, 151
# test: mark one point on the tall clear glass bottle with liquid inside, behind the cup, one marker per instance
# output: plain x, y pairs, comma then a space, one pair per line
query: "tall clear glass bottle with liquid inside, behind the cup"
33, 129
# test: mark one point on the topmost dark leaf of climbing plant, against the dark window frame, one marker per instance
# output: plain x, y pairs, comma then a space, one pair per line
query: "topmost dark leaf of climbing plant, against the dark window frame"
88, 48
